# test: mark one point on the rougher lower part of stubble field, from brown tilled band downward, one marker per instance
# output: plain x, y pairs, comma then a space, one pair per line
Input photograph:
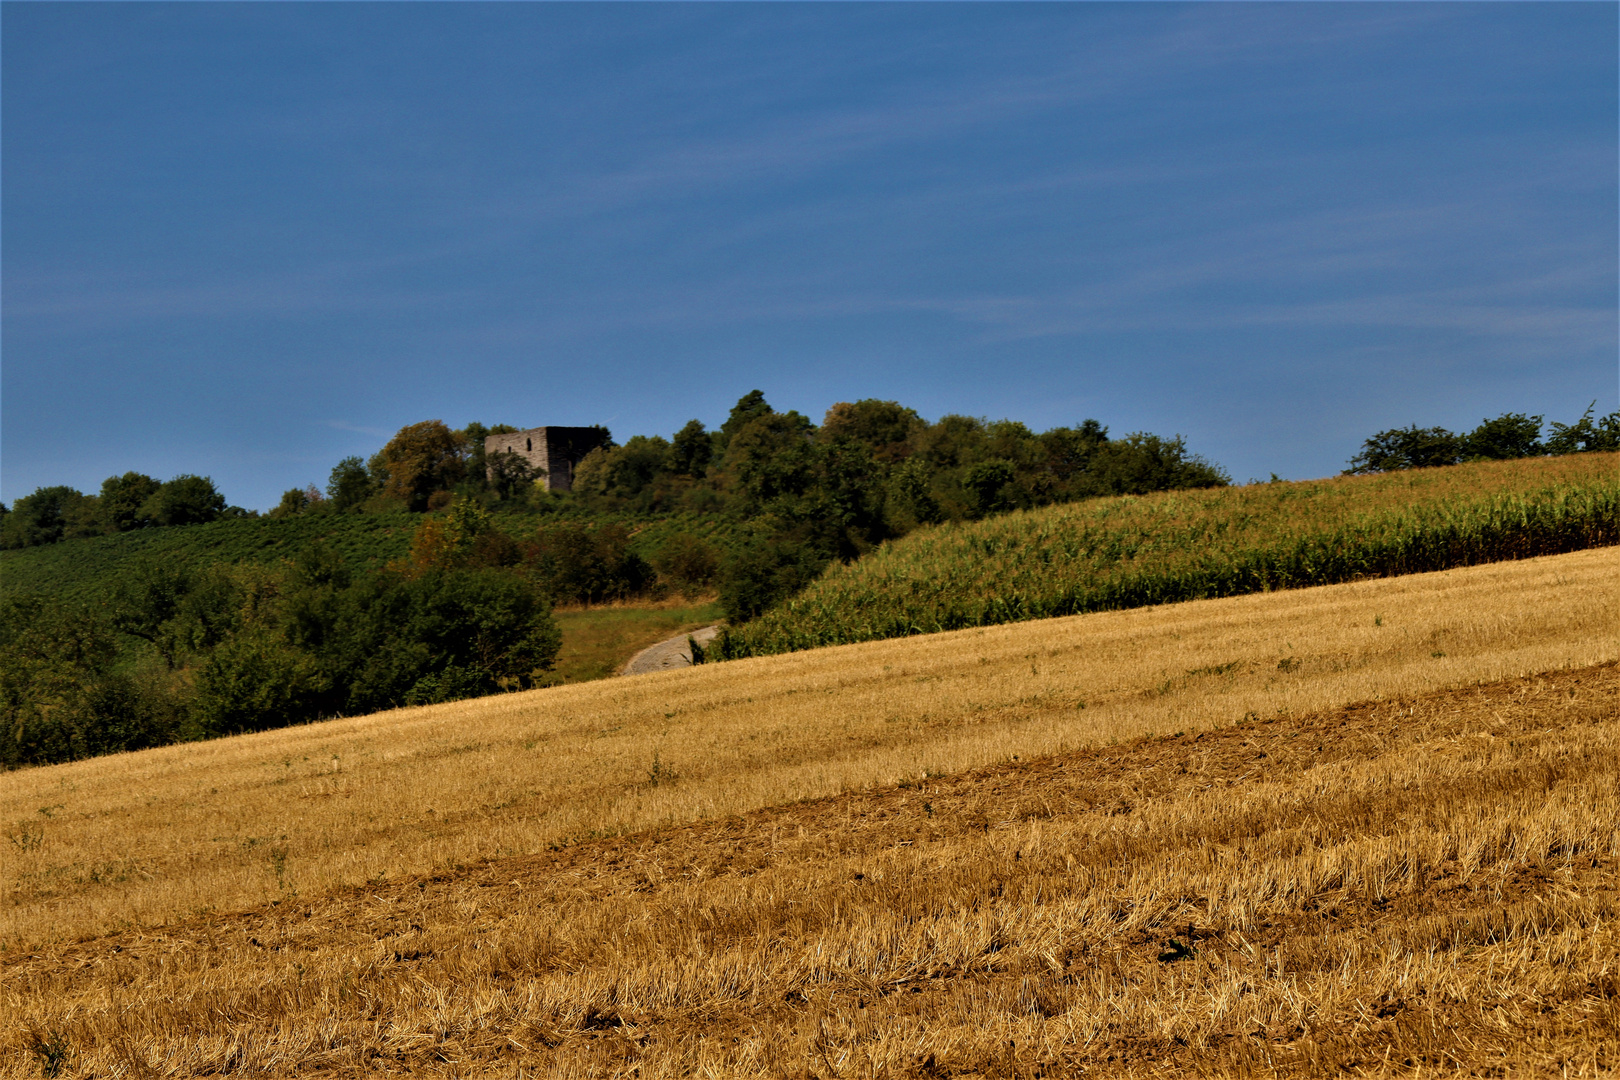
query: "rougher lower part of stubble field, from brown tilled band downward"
1410, 887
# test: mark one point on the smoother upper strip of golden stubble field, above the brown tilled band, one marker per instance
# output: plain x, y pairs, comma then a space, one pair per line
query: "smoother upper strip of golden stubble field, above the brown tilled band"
174, 833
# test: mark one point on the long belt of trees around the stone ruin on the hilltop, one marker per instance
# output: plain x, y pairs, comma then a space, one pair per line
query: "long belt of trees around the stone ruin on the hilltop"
803, 495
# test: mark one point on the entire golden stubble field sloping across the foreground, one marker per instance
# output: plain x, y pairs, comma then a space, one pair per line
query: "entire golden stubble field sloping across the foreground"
1222, 870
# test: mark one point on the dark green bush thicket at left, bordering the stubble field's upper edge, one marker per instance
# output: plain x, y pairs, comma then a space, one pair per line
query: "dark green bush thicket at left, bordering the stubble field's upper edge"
245, 648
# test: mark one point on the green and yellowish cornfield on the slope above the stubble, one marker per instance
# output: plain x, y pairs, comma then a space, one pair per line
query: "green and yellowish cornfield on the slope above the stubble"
1174, 546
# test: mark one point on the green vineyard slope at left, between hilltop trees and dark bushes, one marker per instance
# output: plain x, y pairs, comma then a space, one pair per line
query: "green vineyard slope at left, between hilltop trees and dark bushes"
85, 568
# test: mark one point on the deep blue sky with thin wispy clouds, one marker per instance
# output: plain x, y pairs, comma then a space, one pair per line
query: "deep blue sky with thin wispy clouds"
249, 240
